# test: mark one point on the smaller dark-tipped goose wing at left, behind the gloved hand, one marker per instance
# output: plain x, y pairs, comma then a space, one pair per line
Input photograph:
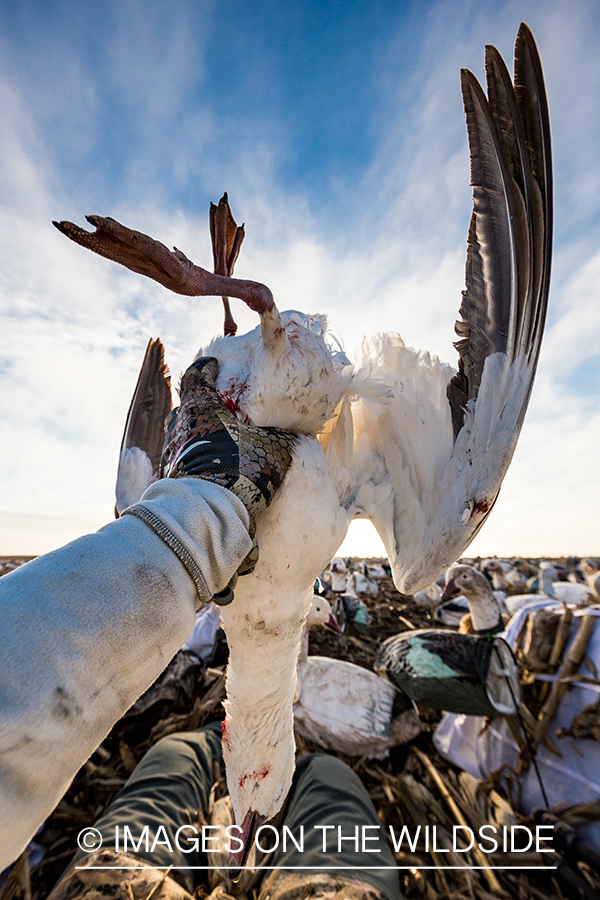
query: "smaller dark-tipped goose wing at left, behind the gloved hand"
143, 438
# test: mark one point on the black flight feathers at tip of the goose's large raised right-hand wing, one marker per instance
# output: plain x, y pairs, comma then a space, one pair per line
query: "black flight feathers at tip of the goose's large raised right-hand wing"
509, 244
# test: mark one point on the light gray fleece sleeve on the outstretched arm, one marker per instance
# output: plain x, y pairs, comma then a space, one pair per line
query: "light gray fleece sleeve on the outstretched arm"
86, 629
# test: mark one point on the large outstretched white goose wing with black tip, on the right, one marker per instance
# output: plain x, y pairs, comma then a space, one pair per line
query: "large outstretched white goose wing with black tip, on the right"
427, 472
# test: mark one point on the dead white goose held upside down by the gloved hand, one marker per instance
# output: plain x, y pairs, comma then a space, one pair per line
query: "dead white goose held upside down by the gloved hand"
423, 449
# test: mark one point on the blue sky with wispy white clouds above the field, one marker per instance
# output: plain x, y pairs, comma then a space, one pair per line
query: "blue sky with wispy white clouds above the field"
337, 129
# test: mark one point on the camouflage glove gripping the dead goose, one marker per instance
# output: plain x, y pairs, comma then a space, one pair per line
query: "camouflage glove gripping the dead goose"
205, 440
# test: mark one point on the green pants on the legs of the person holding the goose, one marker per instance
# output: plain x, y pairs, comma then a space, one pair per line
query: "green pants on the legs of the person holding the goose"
172, 783
